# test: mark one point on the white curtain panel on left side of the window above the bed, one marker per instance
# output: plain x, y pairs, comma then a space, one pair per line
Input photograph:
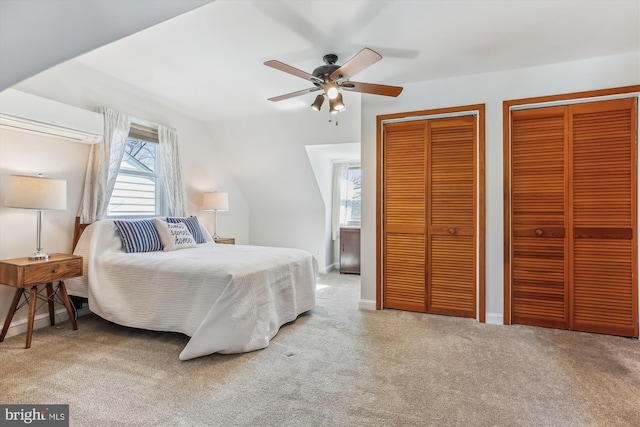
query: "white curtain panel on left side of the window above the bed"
103, 166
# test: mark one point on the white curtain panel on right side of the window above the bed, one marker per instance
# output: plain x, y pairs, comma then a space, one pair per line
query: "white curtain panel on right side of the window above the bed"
171, 175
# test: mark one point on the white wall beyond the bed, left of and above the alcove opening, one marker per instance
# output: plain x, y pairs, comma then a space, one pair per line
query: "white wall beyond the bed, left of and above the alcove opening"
269, 161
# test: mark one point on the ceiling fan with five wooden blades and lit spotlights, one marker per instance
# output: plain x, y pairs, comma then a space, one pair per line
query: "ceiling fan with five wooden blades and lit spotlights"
330, 78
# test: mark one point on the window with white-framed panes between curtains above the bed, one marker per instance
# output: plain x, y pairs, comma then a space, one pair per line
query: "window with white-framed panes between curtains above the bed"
136, 192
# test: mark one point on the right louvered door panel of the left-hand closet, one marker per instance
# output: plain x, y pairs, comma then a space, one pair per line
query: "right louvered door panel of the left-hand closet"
451, 259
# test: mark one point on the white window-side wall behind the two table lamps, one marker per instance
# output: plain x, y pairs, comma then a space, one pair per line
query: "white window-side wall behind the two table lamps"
203, 166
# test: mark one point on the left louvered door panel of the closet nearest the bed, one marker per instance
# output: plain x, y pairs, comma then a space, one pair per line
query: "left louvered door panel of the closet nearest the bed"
404, 214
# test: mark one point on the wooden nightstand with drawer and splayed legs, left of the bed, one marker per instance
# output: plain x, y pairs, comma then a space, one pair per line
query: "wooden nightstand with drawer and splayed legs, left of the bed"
24, 273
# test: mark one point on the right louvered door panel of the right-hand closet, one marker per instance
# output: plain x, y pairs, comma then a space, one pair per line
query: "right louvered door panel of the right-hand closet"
604, 293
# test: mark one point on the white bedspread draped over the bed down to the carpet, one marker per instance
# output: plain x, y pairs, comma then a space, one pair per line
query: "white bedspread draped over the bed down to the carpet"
227, 298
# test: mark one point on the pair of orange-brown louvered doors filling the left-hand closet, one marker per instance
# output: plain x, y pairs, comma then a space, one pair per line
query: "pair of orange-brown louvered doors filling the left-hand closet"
429, 216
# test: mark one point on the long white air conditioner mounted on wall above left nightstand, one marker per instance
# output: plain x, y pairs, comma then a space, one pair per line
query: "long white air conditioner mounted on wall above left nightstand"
24, 112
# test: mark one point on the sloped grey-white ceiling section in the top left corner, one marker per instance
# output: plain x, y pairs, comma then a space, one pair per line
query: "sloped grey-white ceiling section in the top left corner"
37, 34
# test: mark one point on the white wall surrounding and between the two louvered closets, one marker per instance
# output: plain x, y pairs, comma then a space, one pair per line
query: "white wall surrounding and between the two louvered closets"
491, 89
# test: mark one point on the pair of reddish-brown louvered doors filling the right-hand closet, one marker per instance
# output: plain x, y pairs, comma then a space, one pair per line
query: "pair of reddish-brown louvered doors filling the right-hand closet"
574, 217
